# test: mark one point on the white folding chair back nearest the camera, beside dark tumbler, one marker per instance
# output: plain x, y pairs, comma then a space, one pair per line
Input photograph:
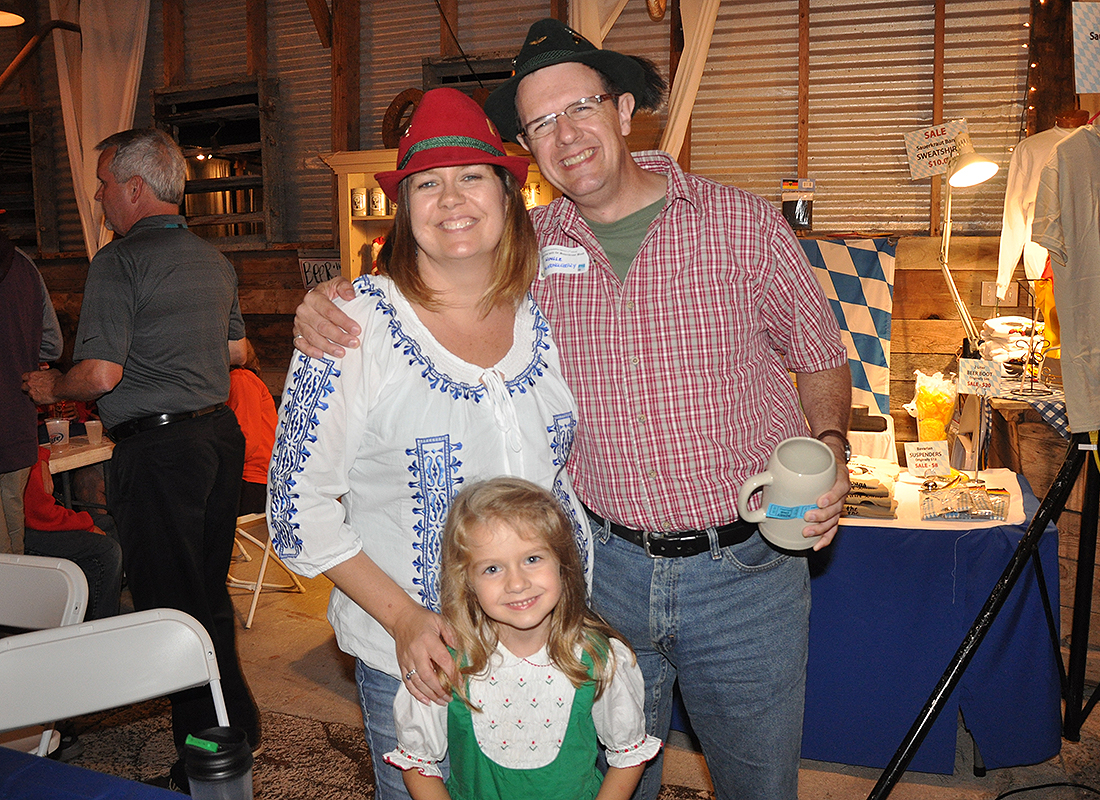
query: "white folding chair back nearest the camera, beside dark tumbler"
105, 664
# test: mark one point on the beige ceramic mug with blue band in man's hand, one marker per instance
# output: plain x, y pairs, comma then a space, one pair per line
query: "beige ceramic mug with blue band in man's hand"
799, 473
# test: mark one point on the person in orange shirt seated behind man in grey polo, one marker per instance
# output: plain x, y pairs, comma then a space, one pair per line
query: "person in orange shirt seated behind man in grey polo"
252, 403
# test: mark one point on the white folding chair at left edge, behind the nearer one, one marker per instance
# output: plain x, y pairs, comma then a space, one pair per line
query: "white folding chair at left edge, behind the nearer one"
39, 593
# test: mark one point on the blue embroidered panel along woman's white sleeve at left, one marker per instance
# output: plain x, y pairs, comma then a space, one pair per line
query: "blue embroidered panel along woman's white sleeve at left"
310, 385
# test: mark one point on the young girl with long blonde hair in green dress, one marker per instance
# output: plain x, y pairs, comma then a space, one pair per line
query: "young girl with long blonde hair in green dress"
542, 676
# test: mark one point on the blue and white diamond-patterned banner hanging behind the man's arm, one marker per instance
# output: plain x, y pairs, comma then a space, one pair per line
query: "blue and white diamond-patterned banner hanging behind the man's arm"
857, 276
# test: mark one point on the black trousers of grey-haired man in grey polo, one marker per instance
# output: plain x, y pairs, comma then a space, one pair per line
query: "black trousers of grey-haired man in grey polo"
174, 494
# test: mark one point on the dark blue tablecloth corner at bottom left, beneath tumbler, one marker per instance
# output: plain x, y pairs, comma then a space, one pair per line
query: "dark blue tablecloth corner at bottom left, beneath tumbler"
27, 777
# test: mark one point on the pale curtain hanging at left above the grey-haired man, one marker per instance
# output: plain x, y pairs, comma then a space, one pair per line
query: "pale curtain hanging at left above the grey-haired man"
100, 71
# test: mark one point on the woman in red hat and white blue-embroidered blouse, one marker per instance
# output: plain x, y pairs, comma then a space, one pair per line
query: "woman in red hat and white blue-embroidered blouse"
457, 380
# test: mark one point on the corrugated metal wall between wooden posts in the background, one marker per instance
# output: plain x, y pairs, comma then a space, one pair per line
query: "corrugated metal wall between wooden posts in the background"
871, 82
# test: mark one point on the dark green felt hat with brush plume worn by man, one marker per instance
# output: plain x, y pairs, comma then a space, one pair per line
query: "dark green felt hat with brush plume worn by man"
551, 42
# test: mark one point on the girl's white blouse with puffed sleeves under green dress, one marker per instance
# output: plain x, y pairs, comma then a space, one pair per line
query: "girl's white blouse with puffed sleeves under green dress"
526, 706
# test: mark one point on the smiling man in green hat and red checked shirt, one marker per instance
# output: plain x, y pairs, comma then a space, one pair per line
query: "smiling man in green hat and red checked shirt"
680, 309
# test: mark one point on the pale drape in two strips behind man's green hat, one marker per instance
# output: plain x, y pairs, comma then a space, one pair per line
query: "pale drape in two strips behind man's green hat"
593, 19
